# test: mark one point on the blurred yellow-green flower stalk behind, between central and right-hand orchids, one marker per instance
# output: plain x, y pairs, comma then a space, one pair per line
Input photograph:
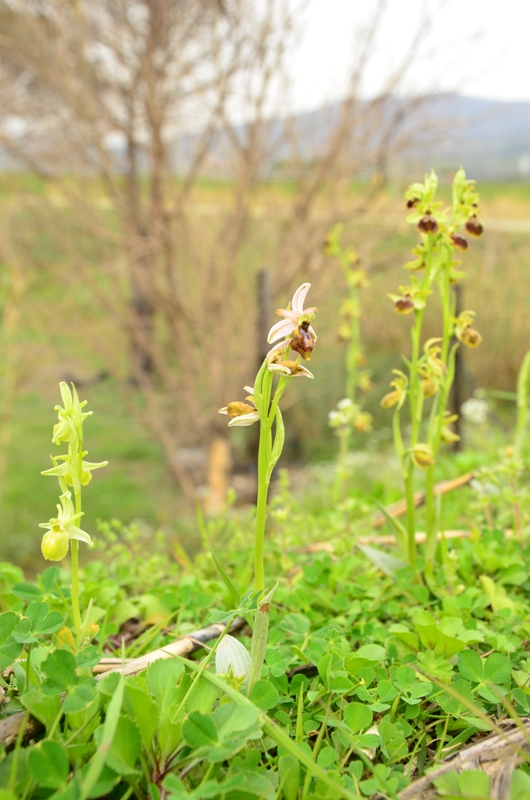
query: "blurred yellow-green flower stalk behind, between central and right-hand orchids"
348, 416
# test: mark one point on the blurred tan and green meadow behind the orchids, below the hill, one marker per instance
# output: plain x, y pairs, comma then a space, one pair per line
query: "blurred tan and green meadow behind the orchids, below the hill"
61, 331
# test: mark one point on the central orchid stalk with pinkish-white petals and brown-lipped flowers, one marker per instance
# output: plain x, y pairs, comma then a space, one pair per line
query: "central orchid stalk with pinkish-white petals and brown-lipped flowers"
293, 332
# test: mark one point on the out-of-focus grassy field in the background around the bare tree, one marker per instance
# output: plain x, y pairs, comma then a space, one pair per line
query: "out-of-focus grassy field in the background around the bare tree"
64, 332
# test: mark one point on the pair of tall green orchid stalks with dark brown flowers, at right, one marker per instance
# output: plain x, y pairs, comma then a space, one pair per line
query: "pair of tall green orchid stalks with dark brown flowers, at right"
430, 373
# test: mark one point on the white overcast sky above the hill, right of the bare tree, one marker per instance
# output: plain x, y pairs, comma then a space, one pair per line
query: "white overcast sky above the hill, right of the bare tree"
476, 47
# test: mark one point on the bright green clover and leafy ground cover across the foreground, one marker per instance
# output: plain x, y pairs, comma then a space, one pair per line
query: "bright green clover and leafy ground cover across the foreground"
369, 678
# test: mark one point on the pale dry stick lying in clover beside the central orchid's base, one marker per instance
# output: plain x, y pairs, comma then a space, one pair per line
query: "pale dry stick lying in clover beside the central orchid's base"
185, 645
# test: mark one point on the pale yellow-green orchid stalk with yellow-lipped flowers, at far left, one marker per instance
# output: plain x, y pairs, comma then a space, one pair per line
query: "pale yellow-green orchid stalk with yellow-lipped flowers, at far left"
72, 472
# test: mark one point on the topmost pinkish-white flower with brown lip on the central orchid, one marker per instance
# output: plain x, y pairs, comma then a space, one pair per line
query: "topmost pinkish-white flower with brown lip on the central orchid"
296, 325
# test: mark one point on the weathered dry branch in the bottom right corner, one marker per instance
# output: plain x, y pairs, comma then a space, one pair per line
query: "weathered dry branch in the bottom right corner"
497, 755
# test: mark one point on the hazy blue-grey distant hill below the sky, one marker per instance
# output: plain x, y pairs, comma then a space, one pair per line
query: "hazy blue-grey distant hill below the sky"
490, 138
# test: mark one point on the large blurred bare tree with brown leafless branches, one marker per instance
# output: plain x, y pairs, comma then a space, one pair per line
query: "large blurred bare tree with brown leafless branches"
101, 97
